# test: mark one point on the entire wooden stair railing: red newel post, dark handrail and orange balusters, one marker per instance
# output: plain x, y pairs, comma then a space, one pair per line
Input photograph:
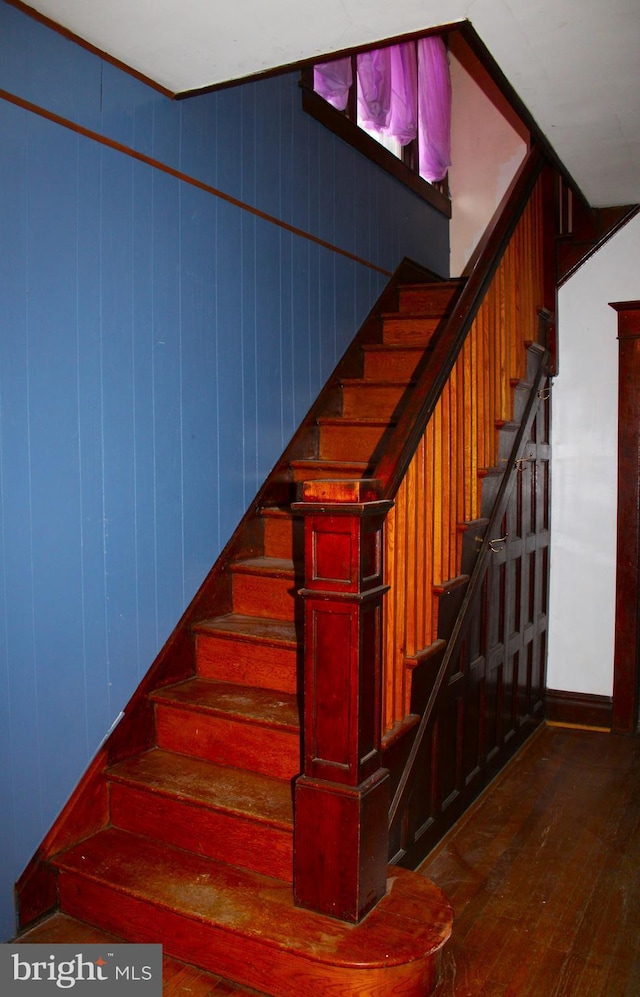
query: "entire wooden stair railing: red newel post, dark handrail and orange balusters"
342, 798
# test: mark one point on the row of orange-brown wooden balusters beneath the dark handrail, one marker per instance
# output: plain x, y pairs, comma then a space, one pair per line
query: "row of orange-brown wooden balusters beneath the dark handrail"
441, 492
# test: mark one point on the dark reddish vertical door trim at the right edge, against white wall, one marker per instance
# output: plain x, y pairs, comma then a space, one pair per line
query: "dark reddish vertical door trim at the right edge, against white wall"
626, 663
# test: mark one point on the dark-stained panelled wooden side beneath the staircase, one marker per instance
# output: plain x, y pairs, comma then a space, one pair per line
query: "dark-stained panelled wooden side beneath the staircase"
494, 691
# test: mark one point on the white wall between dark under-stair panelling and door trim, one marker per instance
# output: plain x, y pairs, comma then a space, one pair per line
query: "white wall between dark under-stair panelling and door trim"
584, 468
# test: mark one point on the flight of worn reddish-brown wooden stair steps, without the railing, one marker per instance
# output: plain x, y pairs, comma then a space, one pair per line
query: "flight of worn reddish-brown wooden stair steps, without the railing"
194, 847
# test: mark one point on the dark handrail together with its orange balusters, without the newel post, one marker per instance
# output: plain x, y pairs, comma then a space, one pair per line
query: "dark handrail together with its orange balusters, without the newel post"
435, 480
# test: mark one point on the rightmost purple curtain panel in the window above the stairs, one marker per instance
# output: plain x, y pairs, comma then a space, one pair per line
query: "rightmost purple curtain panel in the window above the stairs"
434, 108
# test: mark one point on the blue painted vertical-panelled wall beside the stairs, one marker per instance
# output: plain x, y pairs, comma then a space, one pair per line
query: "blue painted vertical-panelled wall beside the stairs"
158, 347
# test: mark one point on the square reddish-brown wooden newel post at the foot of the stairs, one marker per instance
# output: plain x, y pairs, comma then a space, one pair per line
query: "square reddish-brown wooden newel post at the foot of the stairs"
342, 797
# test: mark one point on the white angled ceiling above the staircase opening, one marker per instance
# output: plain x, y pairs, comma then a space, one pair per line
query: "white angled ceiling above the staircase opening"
575, 64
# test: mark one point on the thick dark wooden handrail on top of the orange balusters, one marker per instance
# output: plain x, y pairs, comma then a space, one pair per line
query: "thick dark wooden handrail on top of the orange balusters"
435, 369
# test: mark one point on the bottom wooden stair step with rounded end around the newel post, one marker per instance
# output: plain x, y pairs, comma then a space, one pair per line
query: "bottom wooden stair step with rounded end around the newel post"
244, 926
